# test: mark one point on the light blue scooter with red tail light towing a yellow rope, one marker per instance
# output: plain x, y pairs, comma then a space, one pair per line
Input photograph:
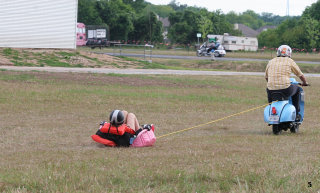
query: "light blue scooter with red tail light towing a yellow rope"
281, 114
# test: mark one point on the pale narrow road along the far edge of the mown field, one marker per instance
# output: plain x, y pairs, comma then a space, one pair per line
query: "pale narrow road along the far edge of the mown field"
135, 71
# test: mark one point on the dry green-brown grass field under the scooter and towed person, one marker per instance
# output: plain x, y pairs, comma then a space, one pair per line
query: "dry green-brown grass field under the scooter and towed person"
46, 120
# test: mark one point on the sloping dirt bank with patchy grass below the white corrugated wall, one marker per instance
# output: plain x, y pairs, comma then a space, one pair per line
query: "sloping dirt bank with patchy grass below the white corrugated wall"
62, 58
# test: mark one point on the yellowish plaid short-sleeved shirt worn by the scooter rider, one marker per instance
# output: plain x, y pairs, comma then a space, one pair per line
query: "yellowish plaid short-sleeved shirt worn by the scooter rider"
278, 72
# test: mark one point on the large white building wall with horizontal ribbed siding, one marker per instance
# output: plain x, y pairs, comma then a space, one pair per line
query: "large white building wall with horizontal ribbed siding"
38, 23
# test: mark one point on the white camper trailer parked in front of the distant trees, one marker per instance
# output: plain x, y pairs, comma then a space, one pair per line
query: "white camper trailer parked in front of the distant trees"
233, 43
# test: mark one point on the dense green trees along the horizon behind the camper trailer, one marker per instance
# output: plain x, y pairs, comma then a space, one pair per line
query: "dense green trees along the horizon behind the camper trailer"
137, 20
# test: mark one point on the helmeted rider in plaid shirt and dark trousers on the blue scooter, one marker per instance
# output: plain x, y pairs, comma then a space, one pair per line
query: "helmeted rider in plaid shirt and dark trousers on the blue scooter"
277, 75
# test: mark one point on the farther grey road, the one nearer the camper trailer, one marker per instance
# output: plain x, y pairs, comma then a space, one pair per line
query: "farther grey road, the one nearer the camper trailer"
201, 58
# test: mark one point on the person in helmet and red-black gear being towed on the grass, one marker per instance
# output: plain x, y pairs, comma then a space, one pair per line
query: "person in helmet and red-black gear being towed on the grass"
120, 131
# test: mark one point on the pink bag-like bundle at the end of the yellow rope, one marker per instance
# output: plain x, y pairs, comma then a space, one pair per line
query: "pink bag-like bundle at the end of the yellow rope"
145, 138
